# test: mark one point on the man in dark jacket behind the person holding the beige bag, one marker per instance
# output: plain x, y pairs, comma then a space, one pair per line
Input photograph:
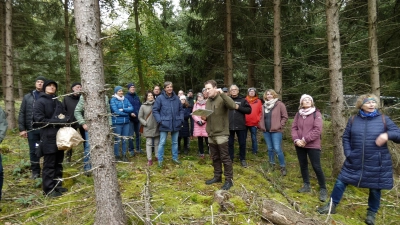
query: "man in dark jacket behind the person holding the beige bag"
25, 125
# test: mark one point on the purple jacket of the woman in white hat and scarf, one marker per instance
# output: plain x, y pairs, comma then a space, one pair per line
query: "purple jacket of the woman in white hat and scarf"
309, 128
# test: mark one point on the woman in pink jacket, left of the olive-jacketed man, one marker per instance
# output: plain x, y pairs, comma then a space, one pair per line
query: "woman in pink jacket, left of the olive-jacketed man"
199, 130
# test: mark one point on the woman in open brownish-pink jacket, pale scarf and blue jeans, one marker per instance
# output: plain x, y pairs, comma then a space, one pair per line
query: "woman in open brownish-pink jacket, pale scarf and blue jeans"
273, 119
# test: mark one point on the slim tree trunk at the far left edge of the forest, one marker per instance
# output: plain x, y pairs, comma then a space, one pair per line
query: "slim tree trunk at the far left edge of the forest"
9, 95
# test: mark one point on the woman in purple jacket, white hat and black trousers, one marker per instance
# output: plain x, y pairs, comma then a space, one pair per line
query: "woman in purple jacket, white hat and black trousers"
306, 135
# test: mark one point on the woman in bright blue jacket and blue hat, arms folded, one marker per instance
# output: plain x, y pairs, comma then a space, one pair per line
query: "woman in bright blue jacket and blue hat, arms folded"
120, 109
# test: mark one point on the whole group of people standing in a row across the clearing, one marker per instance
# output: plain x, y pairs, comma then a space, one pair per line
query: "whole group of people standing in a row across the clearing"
368, 163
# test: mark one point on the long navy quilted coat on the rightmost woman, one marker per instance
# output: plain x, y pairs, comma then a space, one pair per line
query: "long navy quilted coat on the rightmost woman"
368, 165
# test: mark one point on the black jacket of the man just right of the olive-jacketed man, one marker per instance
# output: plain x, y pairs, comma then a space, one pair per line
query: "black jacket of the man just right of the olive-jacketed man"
237, 120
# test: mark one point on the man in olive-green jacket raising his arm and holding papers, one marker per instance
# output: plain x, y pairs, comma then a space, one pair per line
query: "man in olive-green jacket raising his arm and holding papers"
218, 133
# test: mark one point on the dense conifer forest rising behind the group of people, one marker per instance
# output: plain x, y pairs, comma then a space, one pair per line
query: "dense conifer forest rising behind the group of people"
195, 44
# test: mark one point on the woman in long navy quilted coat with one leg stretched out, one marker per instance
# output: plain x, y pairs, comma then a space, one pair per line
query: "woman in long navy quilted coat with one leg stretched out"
368, 162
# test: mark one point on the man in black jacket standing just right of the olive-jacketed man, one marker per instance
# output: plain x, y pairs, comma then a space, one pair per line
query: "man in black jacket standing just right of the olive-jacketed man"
237, 124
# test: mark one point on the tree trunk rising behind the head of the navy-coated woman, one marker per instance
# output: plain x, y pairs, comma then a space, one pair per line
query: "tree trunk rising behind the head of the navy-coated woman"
373, 47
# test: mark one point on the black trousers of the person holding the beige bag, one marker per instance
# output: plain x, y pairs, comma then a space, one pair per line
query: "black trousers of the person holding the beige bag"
52, 169
